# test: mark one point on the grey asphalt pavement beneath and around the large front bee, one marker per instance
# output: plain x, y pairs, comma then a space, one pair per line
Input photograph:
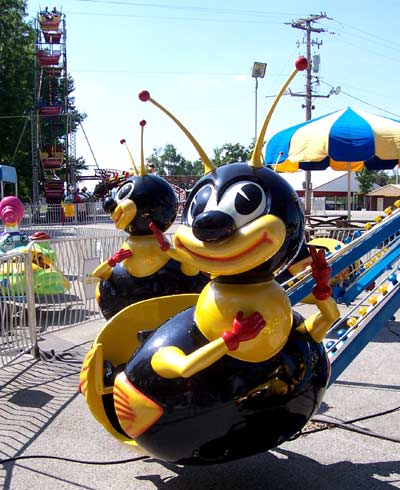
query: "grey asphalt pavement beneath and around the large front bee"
43, 415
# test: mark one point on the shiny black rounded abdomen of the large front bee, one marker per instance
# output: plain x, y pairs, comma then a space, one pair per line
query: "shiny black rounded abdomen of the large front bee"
233, 408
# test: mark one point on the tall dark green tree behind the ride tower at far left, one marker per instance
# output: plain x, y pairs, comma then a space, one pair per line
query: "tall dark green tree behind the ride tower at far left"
17, 95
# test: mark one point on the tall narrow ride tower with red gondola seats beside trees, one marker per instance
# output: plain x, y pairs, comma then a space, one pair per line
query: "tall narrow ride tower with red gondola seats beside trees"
53, 148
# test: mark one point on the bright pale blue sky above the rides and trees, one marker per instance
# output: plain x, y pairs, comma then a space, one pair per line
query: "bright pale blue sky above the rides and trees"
196, 57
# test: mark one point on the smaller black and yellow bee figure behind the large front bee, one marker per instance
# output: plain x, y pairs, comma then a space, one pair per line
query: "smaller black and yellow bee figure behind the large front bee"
140, 269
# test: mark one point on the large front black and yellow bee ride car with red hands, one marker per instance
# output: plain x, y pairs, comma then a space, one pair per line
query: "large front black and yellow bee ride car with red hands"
234, 371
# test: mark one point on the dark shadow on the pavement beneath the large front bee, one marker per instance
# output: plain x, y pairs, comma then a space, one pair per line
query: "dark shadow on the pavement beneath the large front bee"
278, 469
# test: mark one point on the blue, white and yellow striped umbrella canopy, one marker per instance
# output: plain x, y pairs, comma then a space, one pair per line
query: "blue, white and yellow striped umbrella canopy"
348, 139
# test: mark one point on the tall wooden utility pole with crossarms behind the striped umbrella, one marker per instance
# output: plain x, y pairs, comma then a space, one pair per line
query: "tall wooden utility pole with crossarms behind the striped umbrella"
306, 24
